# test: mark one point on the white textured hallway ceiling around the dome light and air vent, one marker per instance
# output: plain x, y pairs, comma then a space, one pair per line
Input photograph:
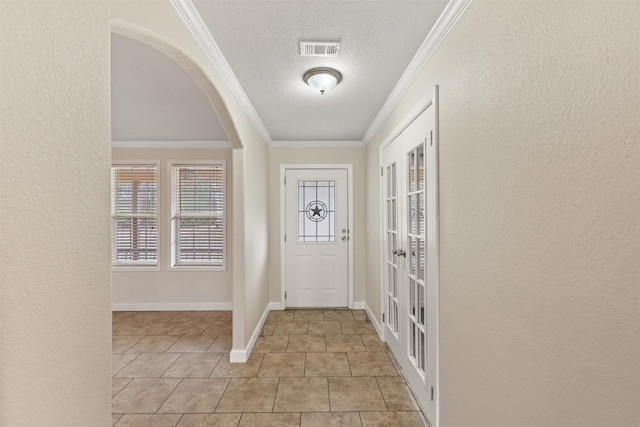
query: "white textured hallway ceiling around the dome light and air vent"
259, 39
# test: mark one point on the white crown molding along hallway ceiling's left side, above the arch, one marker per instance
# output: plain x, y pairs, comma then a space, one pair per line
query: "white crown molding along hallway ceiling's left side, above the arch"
189, 14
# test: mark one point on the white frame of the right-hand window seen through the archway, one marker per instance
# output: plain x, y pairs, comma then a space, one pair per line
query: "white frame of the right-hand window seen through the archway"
172, 266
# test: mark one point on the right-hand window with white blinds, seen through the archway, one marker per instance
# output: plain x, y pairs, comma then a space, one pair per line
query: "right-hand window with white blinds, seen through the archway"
197, 214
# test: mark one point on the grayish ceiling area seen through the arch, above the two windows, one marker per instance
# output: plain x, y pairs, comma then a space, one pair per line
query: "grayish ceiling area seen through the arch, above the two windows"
154, 99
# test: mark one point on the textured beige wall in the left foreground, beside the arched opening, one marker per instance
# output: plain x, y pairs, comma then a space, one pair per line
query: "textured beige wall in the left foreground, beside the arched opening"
54, 214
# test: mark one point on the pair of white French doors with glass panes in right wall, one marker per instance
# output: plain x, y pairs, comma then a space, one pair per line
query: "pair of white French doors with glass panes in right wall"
410, 255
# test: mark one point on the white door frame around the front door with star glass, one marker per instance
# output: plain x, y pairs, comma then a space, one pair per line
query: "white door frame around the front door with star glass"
283, 259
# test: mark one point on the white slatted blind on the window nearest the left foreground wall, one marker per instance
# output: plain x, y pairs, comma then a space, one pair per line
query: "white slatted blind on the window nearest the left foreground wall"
134, 214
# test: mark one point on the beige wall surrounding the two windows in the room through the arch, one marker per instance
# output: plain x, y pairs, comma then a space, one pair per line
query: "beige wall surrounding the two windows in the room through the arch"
166, 288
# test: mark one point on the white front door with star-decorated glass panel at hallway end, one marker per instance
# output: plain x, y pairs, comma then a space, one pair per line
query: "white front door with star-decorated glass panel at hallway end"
316, 238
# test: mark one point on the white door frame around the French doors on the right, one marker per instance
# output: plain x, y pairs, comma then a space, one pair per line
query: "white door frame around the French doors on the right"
426, 102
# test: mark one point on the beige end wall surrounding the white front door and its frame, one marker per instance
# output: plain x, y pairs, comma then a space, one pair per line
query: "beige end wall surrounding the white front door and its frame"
355, 156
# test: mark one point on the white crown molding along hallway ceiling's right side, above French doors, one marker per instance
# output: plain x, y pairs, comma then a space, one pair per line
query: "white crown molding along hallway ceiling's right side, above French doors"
447, 20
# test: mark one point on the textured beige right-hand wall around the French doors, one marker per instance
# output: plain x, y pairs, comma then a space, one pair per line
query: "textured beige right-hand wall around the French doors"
539, 213
